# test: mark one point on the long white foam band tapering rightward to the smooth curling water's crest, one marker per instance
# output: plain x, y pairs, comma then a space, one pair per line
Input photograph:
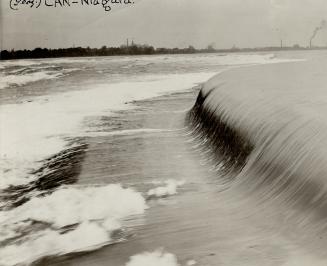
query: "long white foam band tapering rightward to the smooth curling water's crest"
31, 132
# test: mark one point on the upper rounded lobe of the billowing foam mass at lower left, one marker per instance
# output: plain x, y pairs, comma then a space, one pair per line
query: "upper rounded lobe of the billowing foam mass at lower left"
68, 206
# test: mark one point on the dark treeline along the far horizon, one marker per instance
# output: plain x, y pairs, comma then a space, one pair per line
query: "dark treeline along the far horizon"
129, 50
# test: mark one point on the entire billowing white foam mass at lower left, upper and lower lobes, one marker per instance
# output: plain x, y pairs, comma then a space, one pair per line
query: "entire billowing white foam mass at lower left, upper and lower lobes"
98, 211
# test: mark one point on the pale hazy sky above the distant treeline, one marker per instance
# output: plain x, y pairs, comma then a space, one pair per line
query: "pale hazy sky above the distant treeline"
165, 23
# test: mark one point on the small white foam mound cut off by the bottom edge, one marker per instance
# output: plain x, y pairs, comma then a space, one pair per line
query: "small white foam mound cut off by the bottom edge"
156, 258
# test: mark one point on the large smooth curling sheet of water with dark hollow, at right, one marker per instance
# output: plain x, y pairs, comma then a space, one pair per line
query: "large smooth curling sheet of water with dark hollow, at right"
265, 126
